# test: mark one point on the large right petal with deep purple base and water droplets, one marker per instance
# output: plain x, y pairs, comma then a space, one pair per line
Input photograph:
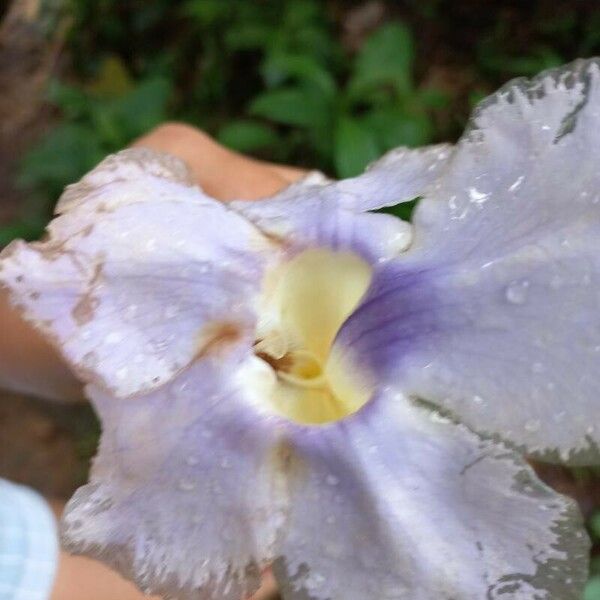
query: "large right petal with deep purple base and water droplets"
493, 313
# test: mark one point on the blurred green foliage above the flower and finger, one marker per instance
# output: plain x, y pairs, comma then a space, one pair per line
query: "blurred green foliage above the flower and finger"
278, 79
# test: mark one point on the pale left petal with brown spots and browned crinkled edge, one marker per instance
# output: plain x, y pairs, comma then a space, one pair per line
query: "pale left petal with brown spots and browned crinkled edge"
140, 275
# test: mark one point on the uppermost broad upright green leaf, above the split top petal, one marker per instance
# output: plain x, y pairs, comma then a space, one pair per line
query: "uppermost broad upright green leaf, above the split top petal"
386, 58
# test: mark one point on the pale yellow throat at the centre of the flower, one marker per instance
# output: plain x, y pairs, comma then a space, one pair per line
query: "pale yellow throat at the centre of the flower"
305, 302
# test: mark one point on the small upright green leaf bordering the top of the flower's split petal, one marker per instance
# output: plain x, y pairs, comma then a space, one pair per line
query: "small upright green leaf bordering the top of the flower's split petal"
355, 146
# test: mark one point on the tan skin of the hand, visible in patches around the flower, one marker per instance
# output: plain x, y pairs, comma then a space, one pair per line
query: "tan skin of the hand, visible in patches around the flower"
29, 364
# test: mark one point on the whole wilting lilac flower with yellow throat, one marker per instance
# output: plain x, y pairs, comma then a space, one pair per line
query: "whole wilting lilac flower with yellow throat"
301, 382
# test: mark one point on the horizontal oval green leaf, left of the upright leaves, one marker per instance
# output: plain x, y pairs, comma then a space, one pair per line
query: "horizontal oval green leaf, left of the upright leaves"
292, 106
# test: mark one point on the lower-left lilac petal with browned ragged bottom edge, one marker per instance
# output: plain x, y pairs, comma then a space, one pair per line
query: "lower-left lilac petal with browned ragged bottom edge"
184, 496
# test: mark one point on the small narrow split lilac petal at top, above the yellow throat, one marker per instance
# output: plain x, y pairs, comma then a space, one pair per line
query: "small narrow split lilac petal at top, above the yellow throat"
318, 212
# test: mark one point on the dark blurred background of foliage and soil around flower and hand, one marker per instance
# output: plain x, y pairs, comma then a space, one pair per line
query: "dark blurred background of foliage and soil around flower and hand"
322, 84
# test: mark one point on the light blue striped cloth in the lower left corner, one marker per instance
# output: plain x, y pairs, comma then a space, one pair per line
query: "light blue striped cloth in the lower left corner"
28, 544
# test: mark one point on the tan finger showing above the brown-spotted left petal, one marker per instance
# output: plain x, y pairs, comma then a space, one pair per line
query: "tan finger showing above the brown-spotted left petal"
222, 173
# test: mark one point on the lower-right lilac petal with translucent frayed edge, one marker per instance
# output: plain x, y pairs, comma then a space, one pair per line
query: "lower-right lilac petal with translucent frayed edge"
396, 503
